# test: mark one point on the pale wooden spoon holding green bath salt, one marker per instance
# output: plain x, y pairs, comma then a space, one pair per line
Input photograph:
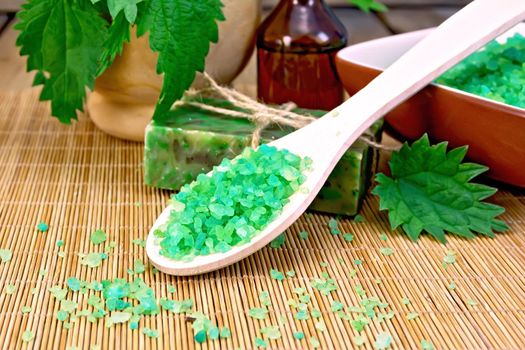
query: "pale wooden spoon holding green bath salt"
326, 139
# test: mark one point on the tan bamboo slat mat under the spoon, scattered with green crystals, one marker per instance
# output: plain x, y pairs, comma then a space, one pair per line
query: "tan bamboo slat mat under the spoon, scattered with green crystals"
77, 179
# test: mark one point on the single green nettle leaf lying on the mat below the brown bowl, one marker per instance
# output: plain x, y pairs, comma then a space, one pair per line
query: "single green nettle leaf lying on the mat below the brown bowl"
430, 191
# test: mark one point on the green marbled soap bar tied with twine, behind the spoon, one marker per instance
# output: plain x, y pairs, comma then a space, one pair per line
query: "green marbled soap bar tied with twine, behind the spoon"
193, 140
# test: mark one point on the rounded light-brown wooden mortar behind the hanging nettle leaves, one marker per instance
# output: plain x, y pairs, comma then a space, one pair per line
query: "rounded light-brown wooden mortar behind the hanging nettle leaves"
124, 97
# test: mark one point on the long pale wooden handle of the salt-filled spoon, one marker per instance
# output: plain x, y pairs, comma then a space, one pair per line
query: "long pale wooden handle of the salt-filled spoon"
460, 35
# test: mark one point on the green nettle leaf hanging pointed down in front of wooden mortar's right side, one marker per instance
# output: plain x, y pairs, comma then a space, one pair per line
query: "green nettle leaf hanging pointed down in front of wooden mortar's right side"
181, 32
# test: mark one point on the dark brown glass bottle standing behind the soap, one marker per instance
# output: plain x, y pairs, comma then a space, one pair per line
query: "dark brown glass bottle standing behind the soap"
296, 48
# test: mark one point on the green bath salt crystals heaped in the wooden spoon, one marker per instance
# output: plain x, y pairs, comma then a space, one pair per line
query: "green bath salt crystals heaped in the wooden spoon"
233, 204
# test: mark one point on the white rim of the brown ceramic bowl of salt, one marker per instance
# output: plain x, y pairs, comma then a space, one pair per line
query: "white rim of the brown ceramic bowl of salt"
344, 54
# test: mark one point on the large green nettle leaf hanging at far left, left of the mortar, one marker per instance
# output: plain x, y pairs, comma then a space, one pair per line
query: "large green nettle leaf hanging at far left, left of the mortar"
63, 40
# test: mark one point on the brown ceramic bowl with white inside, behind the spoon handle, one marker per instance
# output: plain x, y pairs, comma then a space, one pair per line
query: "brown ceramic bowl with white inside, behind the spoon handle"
495, 132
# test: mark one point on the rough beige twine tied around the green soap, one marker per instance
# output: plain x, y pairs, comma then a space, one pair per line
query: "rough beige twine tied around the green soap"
259, 114
